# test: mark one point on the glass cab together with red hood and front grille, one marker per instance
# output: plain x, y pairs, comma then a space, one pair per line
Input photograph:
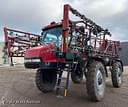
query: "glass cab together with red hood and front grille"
46, 52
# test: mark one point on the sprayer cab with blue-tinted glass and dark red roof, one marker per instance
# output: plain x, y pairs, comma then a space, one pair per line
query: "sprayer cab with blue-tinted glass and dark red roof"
52, 34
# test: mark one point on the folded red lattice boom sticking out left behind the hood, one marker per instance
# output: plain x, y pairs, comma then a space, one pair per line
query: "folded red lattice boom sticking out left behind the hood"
17, 42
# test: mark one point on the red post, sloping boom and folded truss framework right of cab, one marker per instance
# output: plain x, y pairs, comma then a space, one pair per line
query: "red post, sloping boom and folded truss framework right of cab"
93, 36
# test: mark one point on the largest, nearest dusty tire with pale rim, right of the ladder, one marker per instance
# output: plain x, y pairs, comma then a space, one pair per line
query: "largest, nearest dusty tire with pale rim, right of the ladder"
95, 81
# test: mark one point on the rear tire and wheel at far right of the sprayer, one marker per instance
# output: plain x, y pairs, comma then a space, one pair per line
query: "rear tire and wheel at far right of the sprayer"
116, 74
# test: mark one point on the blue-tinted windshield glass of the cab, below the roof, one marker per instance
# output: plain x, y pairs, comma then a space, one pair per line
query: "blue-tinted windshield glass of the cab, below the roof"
52, 36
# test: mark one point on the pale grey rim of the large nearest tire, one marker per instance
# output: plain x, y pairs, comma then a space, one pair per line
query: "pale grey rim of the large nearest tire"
100, 83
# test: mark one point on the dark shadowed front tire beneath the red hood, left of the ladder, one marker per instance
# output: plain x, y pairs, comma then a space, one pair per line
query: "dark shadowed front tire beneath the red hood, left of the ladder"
46, 80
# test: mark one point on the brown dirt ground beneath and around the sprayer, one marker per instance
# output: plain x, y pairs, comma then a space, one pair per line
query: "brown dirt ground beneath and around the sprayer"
17, 89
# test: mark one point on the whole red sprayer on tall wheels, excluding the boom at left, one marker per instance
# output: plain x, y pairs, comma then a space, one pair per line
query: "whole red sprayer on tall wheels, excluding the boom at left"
78, 48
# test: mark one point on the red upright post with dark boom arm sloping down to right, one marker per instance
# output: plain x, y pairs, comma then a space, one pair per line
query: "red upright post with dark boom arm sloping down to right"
89, 23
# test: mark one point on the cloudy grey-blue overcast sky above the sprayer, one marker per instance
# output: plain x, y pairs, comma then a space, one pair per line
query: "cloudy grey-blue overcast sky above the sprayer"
32, 15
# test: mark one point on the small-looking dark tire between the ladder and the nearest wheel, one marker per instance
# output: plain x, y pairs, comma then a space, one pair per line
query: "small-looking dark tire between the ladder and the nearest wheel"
77, 76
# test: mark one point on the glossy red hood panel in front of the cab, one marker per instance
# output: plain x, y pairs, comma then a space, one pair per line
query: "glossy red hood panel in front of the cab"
46, 52
